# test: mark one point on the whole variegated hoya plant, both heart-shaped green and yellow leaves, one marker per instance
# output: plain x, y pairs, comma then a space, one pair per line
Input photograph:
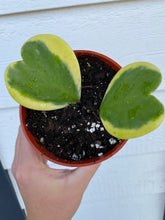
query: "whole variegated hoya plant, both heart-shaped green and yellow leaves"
49, 78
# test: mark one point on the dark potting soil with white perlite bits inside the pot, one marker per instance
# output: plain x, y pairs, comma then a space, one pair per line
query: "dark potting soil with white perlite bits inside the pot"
76, 132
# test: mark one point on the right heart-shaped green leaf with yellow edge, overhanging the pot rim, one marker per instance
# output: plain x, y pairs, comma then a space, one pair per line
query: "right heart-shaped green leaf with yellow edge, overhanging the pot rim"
128, 109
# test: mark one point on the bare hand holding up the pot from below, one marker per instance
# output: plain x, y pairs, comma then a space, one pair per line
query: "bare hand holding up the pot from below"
48, 194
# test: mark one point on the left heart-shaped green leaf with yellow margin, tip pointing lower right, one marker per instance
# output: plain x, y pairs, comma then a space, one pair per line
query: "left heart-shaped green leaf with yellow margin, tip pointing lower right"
48, 77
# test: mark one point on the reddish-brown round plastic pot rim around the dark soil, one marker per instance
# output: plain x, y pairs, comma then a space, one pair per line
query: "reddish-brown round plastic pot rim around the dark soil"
84, 162
